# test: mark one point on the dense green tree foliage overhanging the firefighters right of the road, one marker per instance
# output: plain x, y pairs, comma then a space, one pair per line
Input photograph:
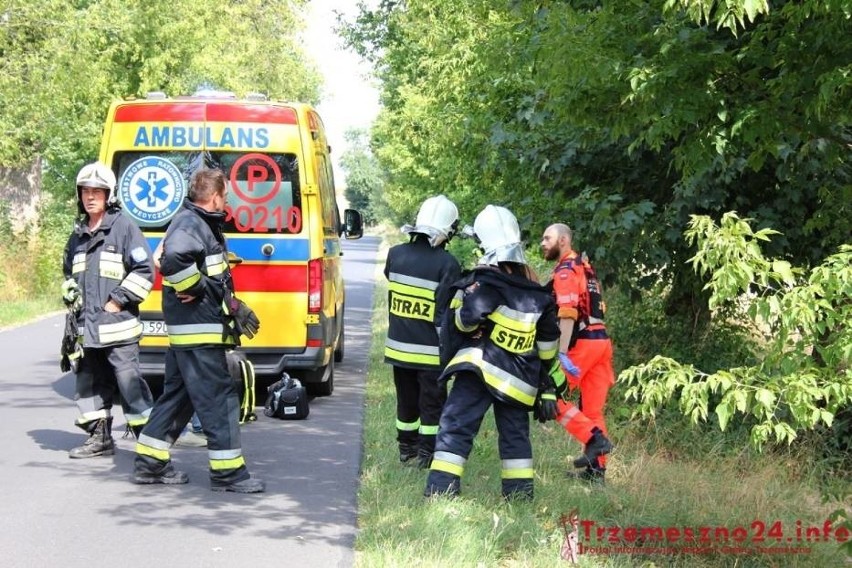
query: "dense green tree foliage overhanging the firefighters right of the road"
622, 118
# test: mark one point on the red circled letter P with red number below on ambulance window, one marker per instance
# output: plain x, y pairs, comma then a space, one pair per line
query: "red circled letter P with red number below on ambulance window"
256, 181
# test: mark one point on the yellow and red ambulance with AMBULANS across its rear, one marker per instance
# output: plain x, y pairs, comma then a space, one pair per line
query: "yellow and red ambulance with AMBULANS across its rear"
283, 225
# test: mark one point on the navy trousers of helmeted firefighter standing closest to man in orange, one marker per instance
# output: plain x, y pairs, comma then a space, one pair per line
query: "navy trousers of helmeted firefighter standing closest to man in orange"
467, 403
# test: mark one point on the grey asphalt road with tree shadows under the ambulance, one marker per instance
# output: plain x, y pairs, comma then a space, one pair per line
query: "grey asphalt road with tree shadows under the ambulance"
66, 513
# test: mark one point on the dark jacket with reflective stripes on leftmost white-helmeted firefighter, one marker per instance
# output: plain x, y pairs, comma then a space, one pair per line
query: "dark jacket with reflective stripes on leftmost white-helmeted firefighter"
113, 262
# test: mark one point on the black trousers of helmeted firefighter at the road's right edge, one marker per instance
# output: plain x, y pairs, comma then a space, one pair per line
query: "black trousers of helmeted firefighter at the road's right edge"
419, 401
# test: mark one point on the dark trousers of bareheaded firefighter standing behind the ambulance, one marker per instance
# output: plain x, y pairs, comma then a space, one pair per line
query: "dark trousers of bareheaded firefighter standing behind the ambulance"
196, 379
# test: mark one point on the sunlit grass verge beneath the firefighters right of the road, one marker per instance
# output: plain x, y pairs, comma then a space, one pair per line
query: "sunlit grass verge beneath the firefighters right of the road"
648, 485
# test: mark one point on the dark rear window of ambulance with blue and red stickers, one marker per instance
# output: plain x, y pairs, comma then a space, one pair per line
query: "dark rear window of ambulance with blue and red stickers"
264, 195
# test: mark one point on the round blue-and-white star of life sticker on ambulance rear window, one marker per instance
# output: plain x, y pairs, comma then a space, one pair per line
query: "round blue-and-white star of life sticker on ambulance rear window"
151, 190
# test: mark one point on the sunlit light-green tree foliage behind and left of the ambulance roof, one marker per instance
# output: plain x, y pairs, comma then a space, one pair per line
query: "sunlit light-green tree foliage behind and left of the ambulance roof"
64, 62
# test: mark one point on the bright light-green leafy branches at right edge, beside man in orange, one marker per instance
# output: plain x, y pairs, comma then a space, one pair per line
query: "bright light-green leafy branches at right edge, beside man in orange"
803, 378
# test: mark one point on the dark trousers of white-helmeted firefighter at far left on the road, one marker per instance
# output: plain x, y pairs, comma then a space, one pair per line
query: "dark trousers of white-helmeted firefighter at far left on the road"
106, 373
